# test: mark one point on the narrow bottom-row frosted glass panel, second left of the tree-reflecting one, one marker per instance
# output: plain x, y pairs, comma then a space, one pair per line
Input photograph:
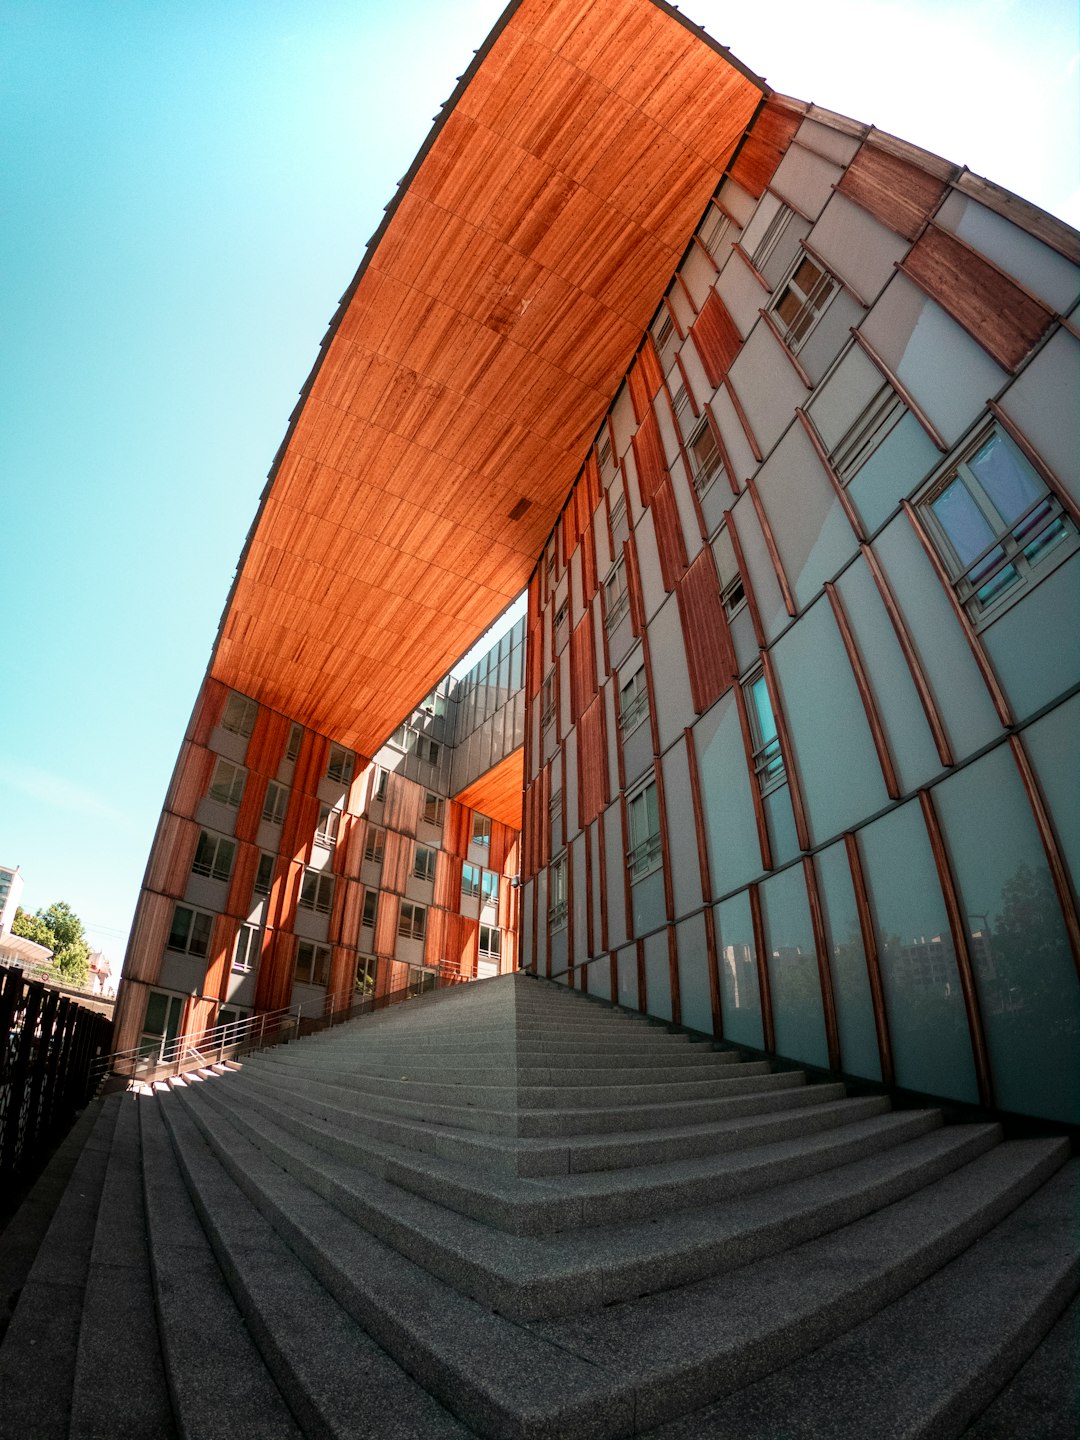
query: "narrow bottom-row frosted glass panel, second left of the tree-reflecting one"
859, 1055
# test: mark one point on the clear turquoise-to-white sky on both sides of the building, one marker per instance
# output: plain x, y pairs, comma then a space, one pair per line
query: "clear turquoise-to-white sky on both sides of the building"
186, 194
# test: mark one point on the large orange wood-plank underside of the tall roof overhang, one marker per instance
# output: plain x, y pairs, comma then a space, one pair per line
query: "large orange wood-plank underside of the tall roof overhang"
485, 336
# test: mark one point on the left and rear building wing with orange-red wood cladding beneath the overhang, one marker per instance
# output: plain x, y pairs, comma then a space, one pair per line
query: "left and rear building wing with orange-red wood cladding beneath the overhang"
293, 875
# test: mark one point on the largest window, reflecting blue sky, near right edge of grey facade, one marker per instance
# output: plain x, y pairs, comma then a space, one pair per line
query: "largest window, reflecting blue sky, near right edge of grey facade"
996, 523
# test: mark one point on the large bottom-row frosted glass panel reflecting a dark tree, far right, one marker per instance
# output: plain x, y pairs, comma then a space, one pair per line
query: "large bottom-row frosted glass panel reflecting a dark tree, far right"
1025, 970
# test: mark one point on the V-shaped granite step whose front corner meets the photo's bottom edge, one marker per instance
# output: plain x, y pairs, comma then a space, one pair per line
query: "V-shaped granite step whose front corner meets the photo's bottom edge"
633, 1364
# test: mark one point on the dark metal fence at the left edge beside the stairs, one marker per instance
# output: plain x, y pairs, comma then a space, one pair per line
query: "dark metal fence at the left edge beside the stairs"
48, 1050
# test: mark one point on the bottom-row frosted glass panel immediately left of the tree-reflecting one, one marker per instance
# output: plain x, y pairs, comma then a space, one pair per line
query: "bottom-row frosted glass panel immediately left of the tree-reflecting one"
924, 1000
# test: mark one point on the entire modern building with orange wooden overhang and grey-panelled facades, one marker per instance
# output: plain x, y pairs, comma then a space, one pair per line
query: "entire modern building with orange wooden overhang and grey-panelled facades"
775, 417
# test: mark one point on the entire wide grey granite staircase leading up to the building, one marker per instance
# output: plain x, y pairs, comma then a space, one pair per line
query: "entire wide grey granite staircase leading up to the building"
506, 1212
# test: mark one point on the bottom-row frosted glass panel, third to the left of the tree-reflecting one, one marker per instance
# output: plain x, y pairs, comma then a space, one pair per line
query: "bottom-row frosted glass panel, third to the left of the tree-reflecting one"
794, 978
